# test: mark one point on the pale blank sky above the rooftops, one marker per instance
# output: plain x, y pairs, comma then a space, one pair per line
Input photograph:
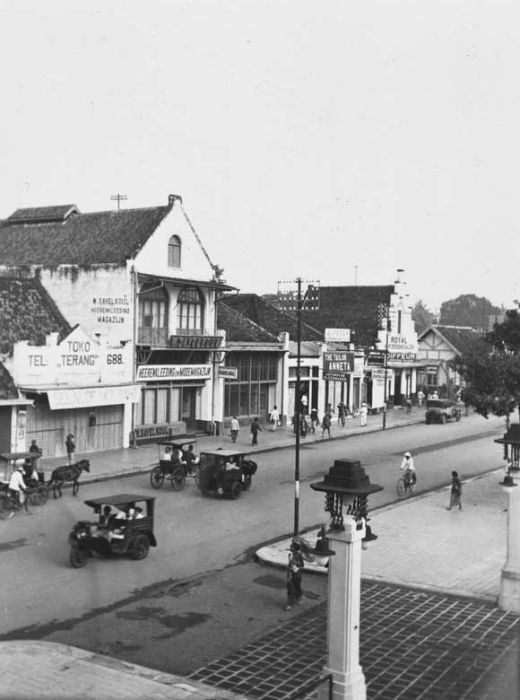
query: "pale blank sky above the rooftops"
329, 140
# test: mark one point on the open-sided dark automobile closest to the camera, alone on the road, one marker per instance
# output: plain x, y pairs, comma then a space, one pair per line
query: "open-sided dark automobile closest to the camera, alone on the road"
128, 531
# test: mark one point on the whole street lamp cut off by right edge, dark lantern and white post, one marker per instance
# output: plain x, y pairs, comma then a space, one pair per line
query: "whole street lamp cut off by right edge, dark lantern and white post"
509, 596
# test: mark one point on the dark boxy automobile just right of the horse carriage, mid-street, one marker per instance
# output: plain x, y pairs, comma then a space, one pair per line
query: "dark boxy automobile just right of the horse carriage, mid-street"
225, 473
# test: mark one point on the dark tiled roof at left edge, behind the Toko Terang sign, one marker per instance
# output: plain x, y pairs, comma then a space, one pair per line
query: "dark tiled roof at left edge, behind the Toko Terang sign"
27, 312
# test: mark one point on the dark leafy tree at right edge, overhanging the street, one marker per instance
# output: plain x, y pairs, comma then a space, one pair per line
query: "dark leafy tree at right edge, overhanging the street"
492, 369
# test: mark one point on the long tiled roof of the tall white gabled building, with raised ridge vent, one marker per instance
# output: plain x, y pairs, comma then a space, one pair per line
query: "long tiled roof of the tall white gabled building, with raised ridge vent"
108, 237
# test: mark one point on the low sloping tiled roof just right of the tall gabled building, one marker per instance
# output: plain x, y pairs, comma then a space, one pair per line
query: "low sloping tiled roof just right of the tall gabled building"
269, 317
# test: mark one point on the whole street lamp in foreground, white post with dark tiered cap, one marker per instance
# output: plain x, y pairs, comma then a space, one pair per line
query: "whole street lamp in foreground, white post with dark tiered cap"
346, 488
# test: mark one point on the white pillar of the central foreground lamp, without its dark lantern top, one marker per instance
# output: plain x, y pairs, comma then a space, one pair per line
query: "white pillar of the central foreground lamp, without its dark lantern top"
343, 615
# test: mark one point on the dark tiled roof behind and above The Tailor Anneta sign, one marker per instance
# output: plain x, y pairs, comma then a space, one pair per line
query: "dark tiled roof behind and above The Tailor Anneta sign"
350, 307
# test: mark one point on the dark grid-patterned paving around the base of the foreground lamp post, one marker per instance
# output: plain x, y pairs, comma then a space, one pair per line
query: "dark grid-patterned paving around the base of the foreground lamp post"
415, 645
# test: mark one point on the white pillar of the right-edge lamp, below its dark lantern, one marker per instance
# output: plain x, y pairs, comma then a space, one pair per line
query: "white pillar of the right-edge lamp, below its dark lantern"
509, 598
